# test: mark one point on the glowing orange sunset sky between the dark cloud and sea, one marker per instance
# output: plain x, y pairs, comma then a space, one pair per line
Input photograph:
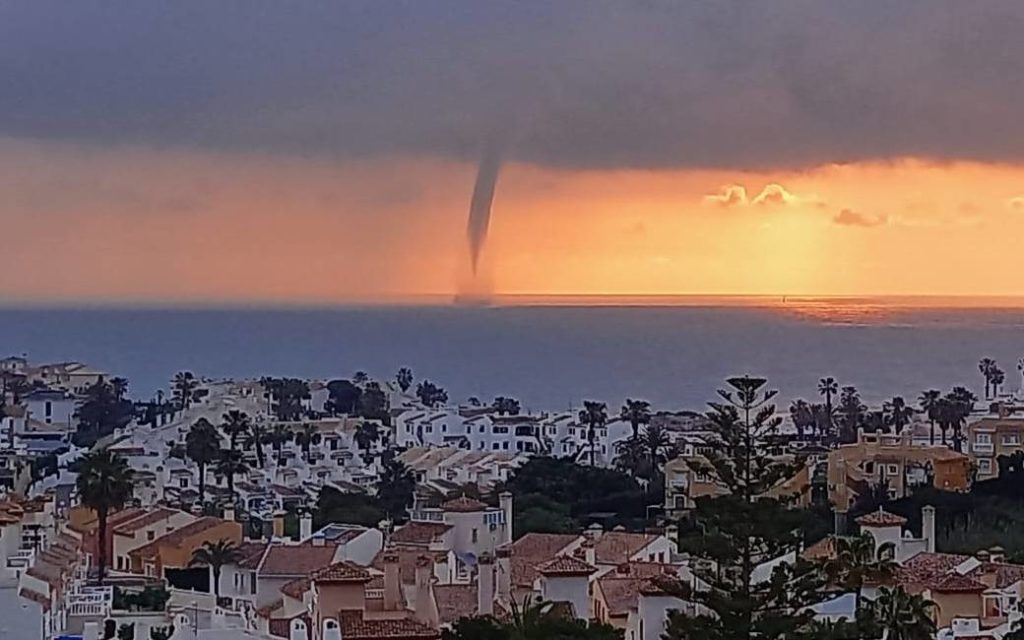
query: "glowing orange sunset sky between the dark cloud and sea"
141, 225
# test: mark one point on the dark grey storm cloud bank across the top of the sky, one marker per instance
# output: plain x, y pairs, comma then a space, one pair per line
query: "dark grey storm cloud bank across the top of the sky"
588, 83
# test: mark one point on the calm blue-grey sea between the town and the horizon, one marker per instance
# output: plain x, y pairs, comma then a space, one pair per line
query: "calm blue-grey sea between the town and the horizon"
550, 353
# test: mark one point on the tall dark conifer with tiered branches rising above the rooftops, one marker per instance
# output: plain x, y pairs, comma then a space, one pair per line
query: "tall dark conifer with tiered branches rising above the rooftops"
741, 530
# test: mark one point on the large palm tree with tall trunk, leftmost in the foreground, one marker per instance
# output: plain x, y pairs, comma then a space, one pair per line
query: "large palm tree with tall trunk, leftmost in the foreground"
104, 485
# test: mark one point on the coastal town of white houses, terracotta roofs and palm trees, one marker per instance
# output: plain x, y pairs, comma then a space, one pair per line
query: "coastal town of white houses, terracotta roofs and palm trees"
358, 508
